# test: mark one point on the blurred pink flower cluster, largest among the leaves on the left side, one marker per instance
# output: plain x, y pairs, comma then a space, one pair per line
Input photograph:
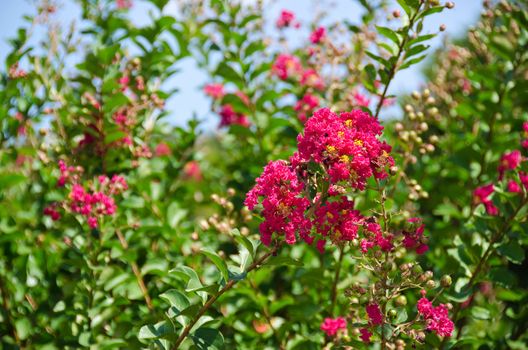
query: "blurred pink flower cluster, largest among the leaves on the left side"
92, 204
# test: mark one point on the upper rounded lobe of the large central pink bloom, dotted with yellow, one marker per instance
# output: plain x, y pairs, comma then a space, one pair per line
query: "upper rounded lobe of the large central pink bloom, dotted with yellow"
347, 145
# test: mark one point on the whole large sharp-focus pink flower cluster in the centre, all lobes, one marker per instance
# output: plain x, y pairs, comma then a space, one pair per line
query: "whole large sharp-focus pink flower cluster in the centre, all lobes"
348, 148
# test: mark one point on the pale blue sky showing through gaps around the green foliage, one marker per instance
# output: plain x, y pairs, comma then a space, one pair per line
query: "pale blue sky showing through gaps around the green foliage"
191, 100
